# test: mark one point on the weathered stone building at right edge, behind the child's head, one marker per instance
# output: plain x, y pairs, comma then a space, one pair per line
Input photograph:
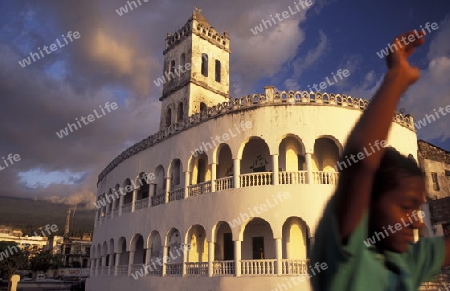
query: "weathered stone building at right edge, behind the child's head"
435, 162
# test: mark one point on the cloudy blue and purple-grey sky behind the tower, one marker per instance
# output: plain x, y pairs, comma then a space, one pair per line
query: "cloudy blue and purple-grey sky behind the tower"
116, 58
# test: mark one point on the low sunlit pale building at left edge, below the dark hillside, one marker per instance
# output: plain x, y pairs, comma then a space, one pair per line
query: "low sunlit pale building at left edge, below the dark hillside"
15, 235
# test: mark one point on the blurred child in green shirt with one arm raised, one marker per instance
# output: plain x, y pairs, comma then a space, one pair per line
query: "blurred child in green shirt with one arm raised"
383, 190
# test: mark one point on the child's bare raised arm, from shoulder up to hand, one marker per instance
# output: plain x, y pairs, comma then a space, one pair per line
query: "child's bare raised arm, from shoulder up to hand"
355, 182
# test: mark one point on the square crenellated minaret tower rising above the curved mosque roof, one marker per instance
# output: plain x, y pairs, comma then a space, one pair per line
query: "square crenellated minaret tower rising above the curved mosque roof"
196, 70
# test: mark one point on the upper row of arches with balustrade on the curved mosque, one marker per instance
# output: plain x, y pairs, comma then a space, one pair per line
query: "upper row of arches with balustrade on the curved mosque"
223, 167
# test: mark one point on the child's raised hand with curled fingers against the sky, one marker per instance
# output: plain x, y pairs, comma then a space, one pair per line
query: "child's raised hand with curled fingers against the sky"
397, 61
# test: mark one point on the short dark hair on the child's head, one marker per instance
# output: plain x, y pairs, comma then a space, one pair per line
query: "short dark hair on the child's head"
393, 167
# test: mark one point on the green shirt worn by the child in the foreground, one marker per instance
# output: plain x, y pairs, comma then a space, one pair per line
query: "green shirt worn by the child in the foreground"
357, 267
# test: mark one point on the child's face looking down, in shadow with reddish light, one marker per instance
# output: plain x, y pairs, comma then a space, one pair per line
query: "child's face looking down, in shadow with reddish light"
397, 213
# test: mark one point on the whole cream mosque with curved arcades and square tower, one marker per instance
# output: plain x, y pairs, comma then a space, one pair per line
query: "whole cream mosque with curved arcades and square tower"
239, 215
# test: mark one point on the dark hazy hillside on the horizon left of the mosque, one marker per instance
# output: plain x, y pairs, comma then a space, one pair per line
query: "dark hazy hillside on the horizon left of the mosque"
29, 215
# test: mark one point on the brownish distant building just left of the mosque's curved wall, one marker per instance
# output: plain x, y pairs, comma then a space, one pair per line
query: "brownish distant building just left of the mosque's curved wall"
75, 250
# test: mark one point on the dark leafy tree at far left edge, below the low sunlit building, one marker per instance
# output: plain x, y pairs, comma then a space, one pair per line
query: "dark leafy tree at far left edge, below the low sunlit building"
12, 258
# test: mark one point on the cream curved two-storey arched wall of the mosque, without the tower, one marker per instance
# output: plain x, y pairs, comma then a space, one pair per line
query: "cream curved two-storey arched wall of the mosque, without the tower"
247, 206
